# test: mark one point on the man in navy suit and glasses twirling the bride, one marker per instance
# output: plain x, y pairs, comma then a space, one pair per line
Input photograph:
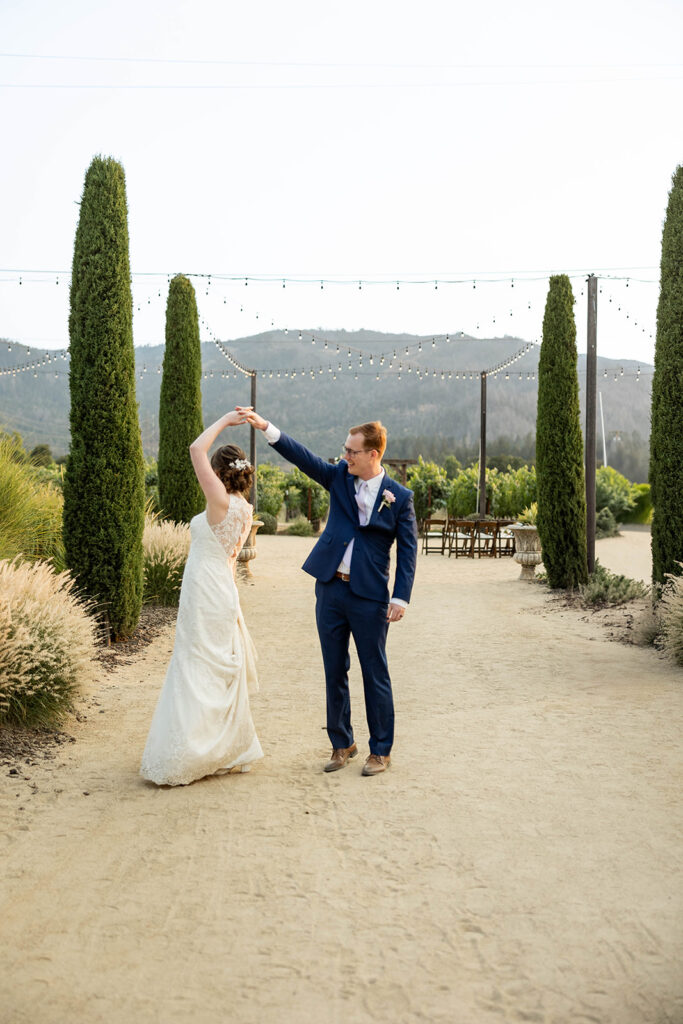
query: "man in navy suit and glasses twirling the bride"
368, 513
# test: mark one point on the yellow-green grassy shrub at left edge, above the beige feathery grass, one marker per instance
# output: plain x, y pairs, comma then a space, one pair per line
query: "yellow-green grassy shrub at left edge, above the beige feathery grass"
30, 511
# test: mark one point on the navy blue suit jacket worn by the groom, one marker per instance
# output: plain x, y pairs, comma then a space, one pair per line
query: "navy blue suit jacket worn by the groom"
372, 544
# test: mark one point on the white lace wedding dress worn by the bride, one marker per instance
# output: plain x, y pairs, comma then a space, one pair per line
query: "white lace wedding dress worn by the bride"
203, 724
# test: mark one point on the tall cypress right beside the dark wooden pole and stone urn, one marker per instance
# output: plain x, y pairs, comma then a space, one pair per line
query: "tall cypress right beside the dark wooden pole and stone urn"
560, 449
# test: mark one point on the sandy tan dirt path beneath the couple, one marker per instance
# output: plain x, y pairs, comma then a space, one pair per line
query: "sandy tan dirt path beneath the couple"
520, 863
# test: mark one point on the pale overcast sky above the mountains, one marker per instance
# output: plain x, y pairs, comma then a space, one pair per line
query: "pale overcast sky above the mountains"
374, 142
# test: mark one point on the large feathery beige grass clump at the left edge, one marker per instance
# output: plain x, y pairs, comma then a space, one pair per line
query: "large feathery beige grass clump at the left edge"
48, 644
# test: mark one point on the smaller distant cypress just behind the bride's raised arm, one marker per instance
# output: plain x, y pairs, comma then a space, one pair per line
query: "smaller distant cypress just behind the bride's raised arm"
181, 405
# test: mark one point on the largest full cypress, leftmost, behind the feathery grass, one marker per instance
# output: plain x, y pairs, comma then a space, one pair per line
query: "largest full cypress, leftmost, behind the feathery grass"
104, 514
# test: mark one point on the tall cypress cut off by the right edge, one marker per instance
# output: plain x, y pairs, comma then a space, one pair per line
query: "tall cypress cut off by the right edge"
667, 430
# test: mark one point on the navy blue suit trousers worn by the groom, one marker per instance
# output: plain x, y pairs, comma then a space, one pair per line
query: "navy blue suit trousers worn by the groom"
340, 615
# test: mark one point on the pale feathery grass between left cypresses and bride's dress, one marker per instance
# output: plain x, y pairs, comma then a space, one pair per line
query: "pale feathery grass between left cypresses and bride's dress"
165, 550
